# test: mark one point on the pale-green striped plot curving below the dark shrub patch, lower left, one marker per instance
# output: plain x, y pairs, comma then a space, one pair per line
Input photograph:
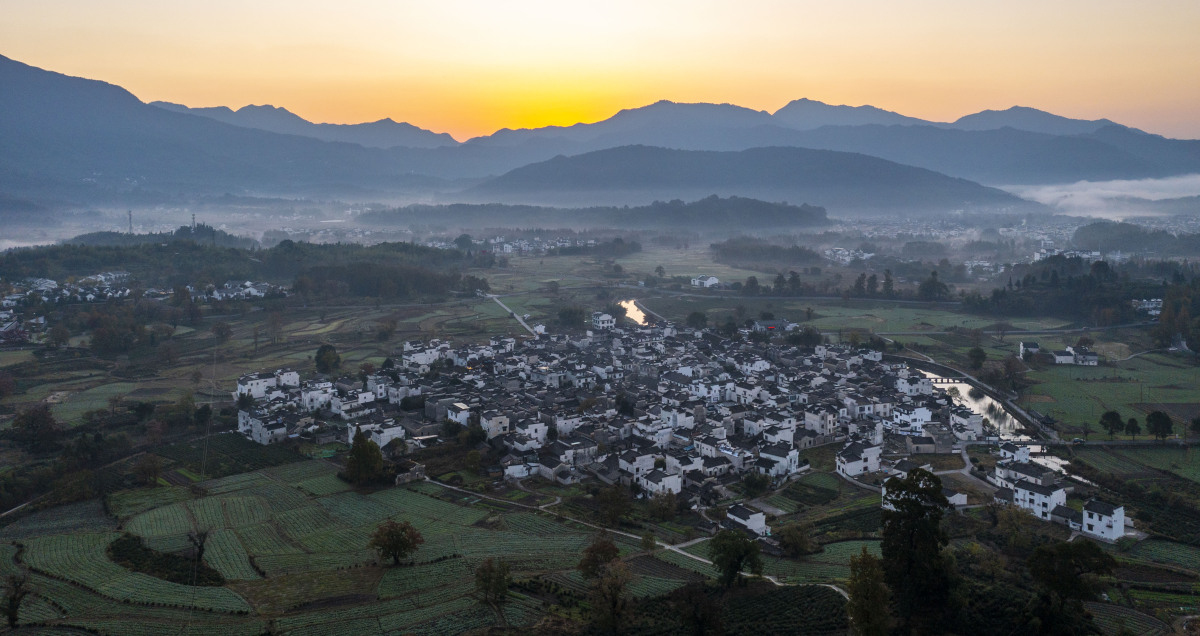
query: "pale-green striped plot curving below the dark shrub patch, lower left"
81, 559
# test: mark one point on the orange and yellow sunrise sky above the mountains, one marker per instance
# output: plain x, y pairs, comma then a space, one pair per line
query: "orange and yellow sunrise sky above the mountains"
470, 68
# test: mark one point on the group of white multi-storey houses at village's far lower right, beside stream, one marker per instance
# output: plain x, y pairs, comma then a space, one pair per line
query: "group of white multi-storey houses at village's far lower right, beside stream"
1040, 491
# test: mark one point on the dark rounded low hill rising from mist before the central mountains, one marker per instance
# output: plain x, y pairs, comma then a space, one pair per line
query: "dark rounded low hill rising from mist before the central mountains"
843, 182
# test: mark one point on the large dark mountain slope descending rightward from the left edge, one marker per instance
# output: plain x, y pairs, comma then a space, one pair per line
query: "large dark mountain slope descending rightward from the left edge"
80, 139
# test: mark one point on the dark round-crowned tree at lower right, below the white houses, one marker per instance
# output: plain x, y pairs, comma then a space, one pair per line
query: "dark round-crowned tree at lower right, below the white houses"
1069, 571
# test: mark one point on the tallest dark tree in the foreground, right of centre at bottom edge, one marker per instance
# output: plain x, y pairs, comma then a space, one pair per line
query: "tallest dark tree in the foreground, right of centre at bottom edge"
914, 565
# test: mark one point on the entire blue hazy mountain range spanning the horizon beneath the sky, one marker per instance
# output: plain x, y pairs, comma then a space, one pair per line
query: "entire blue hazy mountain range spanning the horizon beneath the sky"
67, 140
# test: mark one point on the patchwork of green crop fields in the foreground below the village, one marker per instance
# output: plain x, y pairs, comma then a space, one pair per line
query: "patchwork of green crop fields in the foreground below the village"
291, 542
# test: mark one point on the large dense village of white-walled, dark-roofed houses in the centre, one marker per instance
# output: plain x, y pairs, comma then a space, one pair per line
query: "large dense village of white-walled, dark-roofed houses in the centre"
668, 411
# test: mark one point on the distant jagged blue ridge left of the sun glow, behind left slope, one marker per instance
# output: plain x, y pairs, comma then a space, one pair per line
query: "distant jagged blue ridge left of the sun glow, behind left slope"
383, 134
